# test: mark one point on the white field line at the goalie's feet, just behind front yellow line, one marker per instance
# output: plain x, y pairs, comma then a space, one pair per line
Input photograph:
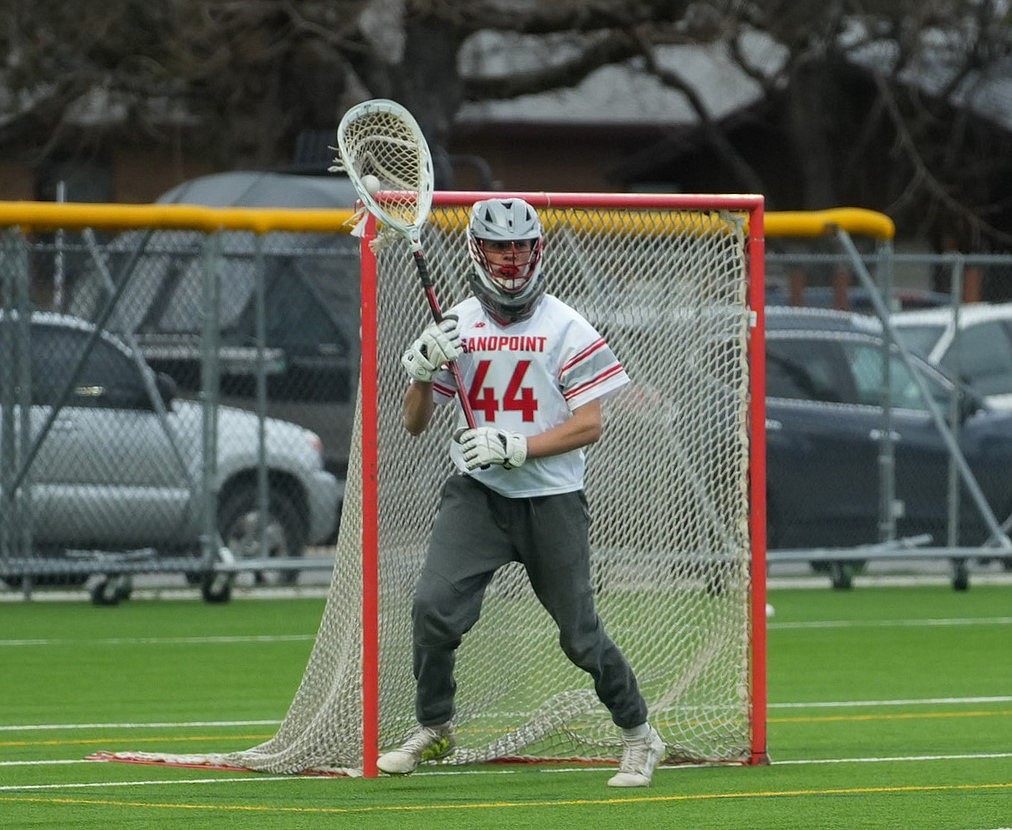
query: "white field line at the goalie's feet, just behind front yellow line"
258, 779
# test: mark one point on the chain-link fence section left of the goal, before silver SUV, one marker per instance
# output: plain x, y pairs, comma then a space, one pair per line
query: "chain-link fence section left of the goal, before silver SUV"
183, 404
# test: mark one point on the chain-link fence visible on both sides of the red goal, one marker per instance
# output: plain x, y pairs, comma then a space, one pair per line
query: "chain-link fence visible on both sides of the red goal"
181, 400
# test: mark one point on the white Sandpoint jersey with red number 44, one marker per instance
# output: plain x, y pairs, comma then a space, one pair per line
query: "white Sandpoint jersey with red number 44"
528, 378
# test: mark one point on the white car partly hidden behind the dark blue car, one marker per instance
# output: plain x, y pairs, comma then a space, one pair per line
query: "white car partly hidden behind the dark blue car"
980, 356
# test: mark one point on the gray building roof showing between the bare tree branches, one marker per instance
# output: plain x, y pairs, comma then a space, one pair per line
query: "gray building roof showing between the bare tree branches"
627, 96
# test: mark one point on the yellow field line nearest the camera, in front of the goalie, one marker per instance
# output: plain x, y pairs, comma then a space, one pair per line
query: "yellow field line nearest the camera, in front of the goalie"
851, 791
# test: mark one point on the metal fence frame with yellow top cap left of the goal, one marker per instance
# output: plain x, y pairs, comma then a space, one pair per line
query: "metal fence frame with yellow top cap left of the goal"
115, 570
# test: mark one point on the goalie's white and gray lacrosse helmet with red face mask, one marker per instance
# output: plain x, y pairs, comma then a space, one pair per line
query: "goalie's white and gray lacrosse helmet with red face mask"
510, 285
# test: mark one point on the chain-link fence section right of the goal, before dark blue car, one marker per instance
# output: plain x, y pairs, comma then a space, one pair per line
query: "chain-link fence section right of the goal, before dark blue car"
889, 434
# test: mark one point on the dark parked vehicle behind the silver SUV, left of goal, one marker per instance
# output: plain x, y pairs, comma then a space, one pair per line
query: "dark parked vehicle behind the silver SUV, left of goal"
312, 303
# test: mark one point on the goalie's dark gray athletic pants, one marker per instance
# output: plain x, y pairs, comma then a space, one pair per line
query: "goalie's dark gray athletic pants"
477, 532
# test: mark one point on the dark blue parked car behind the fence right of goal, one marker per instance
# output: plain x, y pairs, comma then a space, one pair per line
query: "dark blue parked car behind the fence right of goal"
825, 425
